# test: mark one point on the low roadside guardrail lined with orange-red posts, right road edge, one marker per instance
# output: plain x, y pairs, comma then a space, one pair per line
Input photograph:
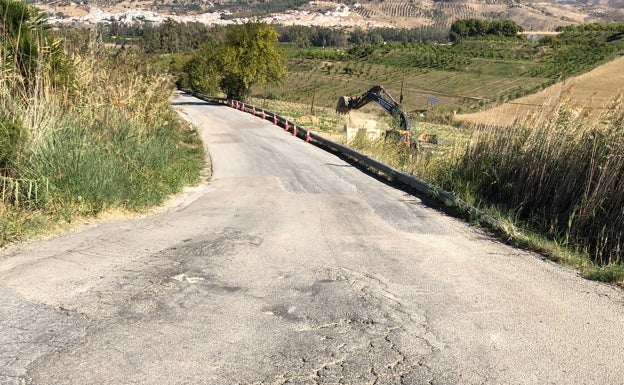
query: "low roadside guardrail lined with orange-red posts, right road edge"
390, 173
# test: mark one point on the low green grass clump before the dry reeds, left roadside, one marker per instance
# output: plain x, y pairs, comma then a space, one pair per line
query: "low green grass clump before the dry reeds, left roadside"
99, 163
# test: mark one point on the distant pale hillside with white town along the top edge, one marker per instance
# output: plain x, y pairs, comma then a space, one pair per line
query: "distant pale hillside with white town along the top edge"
543, 16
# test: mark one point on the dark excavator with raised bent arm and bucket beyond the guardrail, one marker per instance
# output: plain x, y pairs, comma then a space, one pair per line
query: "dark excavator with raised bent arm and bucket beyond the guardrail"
382, 97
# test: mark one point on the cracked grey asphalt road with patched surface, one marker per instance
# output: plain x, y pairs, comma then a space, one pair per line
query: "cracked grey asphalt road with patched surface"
293, 267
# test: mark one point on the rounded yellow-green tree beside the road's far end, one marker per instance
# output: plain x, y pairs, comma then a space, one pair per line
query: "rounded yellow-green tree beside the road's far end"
247, 56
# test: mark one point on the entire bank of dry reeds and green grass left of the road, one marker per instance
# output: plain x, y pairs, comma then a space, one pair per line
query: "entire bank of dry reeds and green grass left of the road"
82, 128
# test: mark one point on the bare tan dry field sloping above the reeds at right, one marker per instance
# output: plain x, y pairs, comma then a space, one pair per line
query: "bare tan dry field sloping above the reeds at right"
591, 93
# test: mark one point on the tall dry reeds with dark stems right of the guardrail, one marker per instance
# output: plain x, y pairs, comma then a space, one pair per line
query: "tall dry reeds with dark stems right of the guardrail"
559, 173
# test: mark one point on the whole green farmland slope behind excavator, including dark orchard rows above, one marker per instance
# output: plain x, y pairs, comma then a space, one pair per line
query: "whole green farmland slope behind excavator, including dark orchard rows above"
463, 77
